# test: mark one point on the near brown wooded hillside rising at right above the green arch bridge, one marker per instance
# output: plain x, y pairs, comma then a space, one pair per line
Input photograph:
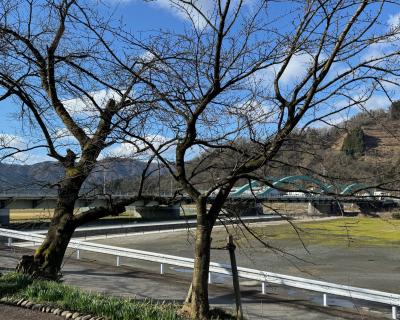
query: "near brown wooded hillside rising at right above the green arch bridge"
365, 149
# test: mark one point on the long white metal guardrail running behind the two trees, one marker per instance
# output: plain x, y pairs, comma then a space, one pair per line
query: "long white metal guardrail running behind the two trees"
246, 273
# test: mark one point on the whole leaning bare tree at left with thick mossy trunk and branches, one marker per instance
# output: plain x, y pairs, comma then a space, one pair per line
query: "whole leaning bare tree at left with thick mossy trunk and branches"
68, 92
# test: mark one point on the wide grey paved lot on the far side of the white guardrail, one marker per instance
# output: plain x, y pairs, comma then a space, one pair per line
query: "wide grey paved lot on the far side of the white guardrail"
358, 264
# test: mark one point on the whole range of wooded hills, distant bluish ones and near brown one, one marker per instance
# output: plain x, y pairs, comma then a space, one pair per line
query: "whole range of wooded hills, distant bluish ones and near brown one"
365, 148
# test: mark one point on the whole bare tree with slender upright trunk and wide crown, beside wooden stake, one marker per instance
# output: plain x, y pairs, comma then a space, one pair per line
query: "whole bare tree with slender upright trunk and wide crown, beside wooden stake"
241, 79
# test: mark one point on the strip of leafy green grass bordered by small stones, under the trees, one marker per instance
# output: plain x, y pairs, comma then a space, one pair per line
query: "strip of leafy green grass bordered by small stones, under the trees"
58, 295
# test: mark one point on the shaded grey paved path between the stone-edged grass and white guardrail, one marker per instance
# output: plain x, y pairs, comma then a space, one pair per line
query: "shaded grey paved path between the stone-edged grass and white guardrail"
96, 275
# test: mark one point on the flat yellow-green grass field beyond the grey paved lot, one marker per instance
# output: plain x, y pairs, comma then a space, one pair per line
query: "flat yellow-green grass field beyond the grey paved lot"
360, 232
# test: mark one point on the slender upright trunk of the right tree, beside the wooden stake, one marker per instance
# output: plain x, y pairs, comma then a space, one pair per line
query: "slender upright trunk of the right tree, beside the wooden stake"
196, 304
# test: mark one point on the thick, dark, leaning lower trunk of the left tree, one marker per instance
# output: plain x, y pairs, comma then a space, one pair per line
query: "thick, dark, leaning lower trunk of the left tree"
47, 260
